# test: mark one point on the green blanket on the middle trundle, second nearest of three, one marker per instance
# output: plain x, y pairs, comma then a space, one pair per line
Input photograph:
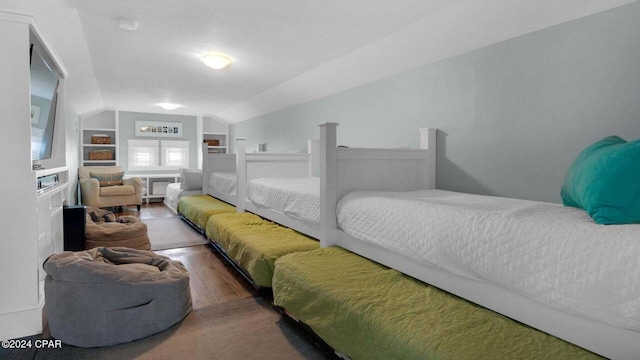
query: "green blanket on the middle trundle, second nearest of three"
254, 243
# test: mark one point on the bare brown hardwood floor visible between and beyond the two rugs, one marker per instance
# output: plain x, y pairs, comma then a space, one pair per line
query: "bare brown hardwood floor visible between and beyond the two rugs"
212, 280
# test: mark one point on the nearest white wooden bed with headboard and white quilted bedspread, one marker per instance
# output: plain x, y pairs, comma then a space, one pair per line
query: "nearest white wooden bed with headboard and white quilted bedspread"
552, 295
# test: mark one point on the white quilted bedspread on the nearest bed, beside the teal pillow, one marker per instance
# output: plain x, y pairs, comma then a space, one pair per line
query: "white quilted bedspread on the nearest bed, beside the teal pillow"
553, 254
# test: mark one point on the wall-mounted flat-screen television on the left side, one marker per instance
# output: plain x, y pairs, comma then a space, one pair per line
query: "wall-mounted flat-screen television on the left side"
44, 99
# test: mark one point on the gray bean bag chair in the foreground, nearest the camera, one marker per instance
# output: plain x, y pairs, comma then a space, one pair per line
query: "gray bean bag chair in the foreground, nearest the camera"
106, 296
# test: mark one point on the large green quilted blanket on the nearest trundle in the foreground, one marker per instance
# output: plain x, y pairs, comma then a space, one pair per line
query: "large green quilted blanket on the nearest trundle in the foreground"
367, 311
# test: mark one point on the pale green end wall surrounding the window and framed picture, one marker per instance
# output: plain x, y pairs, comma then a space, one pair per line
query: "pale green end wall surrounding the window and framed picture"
126, 130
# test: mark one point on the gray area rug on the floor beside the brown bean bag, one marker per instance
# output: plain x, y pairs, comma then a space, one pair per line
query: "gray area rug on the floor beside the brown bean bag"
172, 232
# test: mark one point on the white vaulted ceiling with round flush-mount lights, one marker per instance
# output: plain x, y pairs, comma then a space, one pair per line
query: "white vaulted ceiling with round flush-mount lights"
285, 51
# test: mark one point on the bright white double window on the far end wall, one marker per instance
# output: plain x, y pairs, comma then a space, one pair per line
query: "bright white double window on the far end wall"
158, 154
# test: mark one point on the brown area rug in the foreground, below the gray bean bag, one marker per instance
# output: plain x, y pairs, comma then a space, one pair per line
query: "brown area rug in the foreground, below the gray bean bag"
244, 329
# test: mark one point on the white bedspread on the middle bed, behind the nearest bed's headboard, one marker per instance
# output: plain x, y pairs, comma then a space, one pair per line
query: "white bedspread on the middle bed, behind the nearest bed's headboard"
296, 197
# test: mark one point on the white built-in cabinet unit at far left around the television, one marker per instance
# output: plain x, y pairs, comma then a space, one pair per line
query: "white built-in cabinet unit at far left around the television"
32, 227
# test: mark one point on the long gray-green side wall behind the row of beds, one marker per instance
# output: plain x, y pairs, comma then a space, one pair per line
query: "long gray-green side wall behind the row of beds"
511, 117
